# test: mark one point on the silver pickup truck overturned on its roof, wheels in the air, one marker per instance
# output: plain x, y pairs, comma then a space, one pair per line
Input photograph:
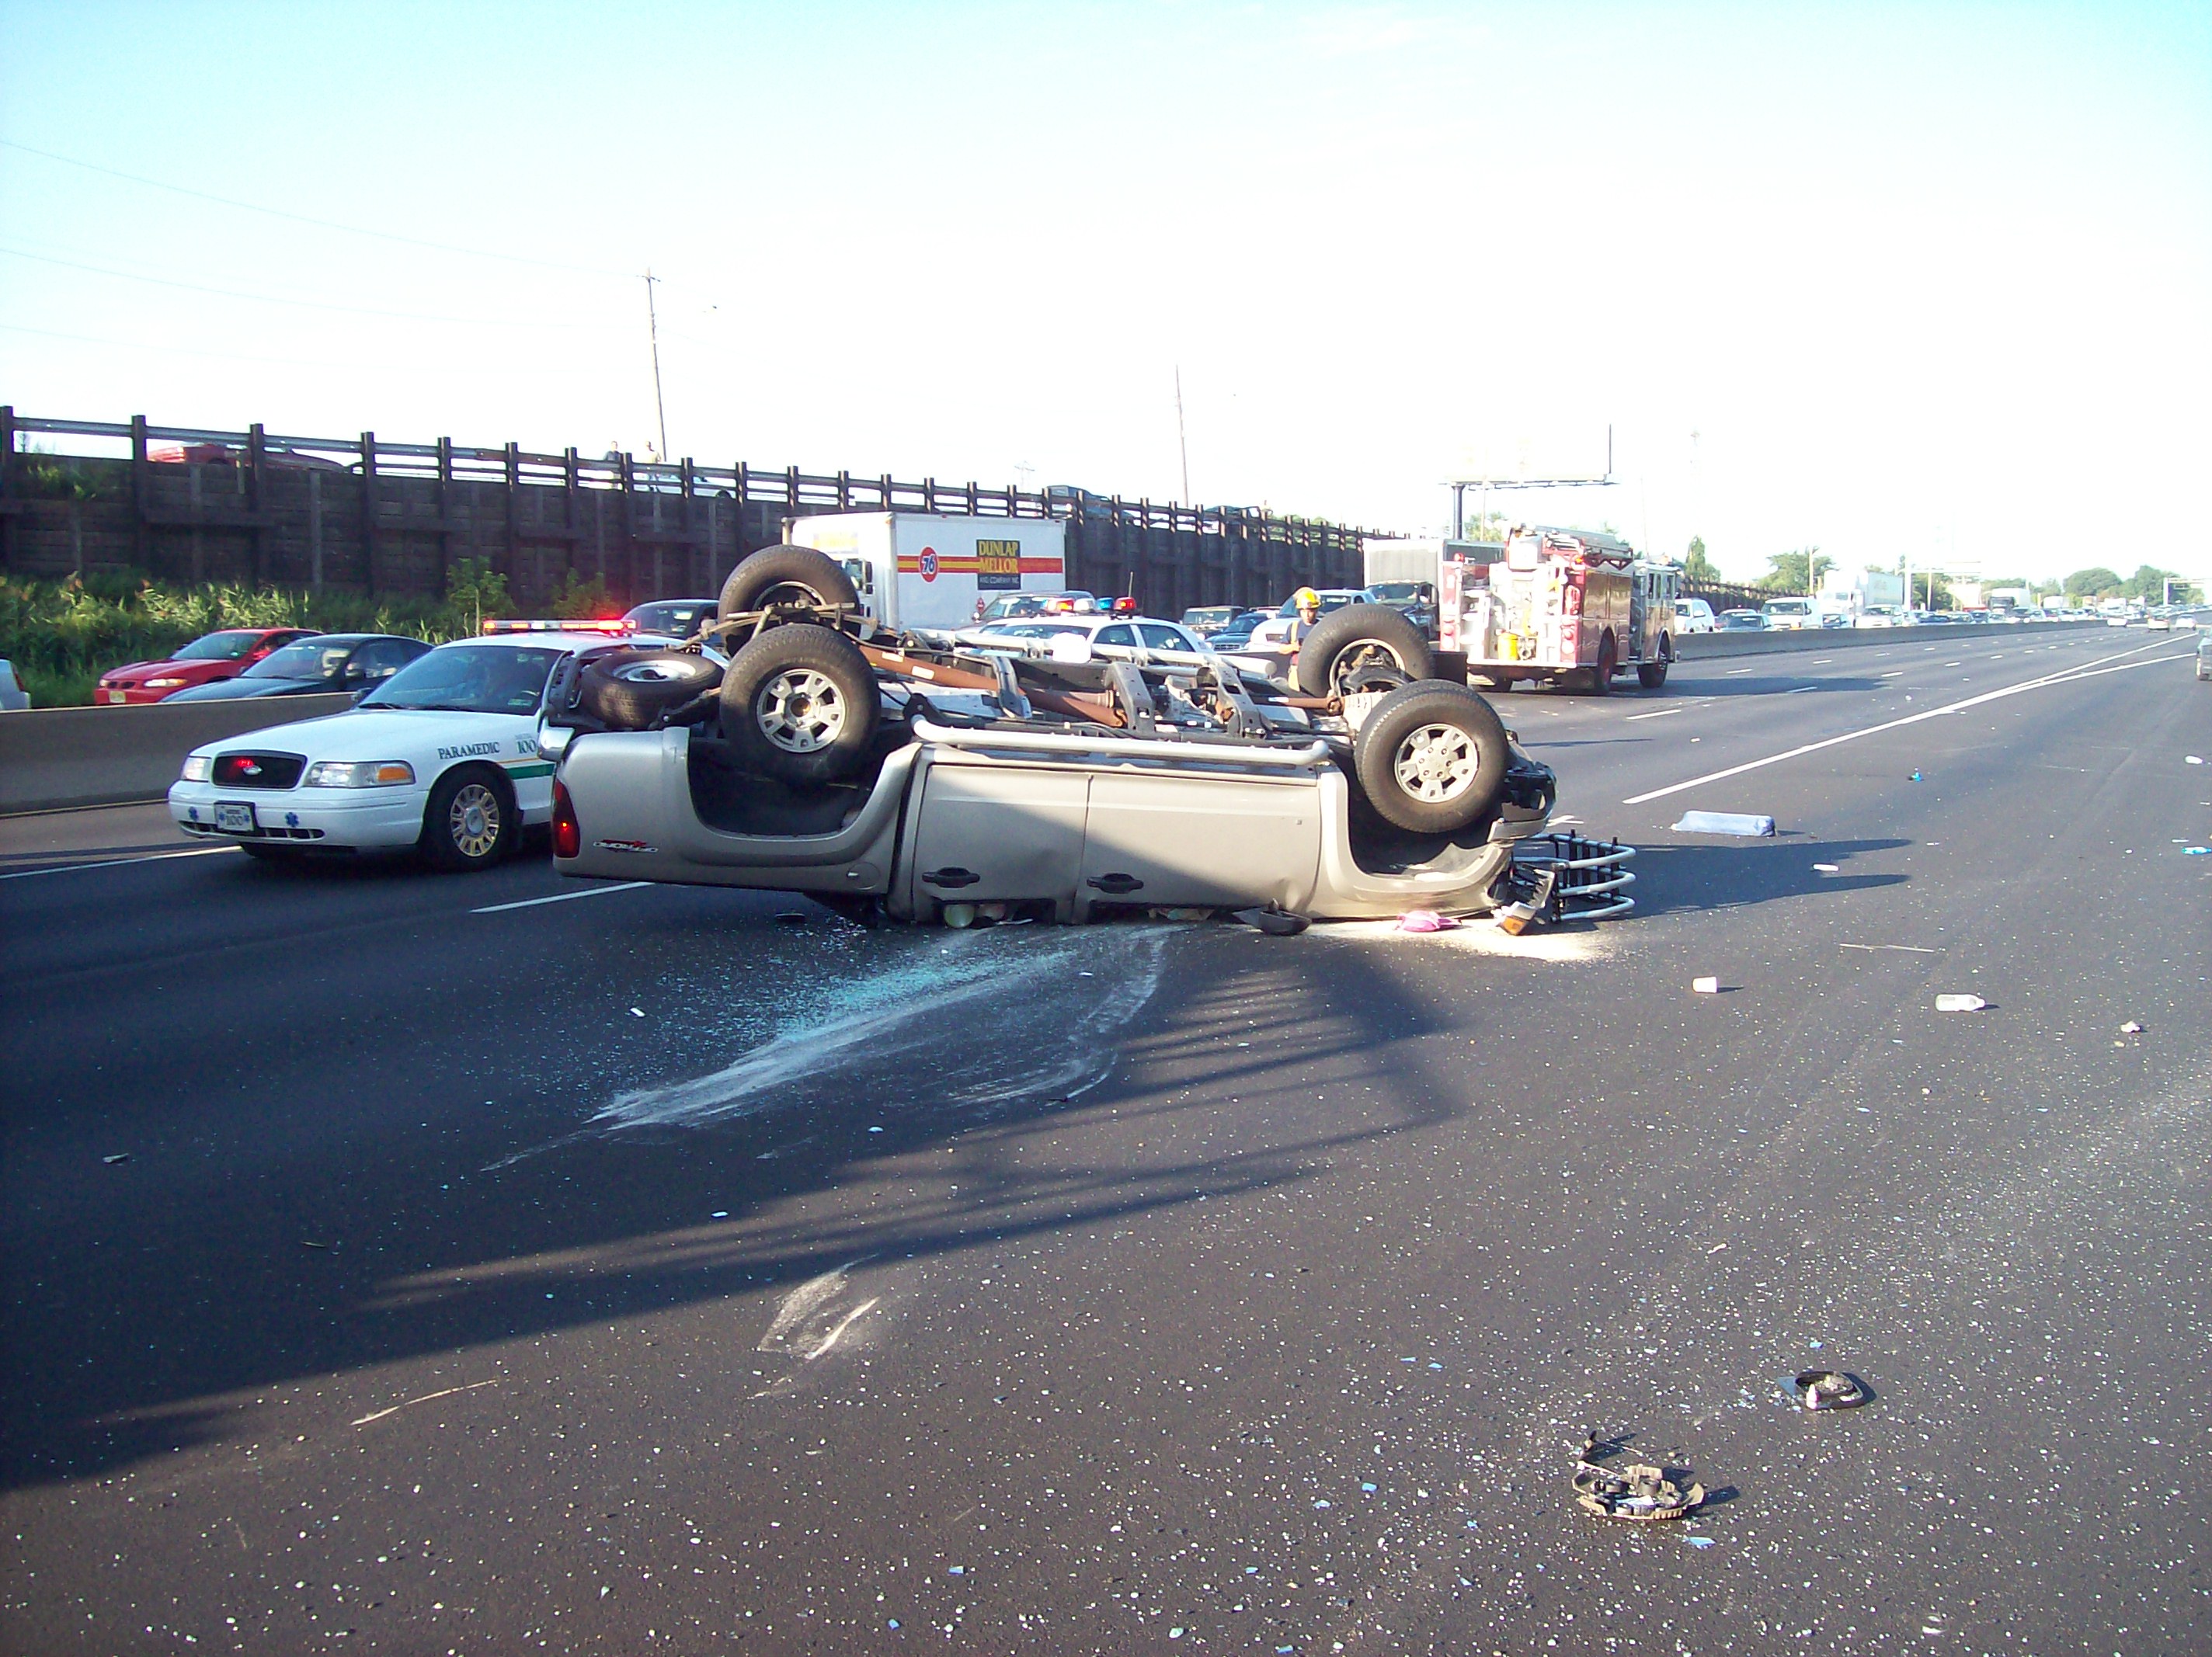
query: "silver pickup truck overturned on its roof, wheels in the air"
797, 747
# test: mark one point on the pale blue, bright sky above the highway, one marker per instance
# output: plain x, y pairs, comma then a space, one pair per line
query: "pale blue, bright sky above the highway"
1919, 278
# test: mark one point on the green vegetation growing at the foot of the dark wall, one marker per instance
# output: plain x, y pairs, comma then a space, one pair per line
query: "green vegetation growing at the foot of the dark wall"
63, 636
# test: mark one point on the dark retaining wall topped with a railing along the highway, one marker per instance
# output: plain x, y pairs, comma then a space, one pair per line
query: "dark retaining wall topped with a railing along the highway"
384, 517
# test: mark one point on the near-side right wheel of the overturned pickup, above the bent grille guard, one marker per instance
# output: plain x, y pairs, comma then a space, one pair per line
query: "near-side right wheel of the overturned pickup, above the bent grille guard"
1432, 758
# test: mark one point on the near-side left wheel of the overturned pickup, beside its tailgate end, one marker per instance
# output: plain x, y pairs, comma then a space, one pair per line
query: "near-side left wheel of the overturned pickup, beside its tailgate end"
800, 705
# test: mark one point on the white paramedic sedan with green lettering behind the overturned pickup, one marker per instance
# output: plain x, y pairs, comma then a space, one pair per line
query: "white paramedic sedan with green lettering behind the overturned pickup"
441, 758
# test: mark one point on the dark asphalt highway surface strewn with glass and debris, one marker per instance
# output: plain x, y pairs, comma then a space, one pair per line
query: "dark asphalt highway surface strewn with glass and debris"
492, 1264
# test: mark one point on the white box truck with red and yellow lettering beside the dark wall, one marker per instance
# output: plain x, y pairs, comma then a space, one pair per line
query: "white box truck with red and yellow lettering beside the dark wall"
924, 570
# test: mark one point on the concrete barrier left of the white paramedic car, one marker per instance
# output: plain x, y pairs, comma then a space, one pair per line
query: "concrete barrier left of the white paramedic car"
61, 758
